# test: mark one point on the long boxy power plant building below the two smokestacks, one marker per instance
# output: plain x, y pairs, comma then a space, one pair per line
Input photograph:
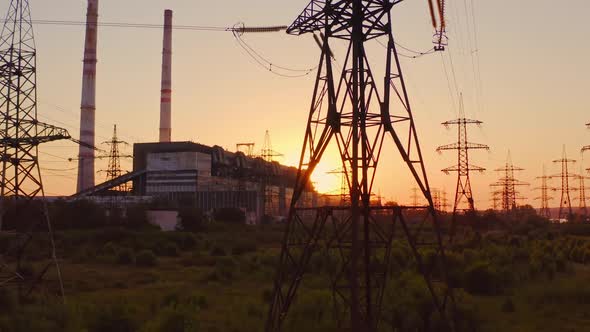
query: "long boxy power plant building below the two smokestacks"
191, 174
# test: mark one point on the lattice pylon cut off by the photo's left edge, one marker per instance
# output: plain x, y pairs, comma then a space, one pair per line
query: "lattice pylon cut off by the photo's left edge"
25, 220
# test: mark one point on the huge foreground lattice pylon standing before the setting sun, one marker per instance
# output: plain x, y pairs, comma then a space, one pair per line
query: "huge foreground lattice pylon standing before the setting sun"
354, 111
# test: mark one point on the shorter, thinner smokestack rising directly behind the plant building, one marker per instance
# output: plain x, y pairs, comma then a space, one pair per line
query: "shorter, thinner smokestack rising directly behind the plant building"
166, 92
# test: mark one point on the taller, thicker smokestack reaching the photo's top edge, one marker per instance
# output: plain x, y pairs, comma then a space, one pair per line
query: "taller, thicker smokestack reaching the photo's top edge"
88, 106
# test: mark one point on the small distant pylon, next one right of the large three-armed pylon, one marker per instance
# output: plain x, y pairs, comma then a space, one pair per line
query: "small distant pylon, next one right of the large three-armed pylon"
507, 185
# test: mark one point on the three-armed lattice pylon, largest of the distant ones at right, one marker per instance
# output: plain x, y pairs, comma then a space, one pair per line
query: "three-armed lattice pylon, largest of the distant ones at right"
463, 193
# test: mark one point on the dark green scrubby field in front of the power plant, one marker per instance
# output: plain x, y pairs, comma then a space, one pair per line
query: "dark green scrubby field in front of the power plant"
219, 279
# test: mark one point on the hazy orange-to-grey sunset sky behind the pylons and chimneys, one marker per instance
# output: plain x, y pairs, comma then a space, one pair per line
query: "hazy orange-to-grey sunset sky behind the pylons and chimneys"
532, 56
